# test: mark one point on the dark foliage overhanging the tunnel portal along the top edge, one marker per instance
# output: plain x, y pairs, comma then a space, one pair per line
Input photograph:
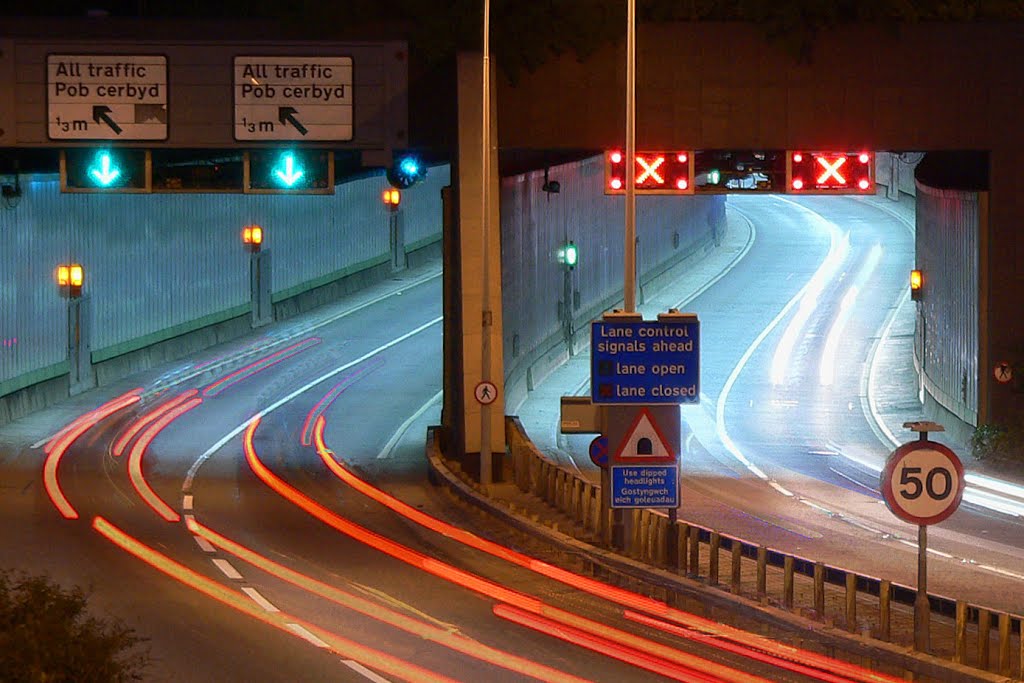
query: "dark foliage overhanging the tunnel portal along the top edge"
525, 35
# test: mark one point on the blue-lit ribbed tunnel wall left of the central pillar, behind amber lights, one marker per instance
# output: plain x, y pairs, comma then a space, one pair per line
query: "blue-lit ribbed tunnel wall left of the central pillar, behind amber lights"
166, 275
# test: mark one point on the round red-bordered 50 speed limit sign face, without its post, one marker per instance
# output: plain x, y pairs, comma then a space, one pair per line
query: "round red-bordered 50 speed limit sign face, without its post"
923, 483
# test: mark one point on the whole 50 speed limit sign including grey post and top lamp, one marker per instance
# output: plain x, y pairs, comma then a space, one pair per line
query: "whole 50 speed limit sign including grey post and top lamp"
923, 484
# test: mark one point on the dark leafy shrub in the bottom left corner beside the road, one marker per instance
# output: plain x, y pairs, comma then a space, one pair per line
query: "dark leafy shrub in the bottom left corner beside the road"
48, 636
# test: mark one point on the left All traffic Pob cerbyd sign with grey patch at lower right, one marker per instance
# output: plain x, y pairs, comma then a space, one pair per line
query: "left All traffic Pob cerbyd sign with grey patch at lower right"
107, 97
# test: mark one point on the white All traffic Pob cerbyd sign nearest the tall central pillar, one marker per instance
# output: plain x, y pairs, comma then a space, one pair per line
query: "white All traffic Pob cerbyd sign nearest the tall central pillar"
293, 99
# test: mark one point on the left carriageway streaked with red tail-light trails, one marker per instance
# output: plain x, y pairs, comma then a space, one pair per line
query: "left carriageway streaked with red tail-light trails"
217, 506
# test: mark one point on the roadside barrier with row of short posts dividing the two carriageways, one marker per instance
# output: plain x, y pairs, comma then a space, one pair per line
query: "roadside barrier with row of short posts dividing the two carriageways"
972, 635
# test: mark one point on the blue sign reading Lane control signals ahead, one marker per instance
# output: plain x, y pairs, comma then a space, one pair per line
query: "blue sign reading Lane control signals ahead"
646, 362
